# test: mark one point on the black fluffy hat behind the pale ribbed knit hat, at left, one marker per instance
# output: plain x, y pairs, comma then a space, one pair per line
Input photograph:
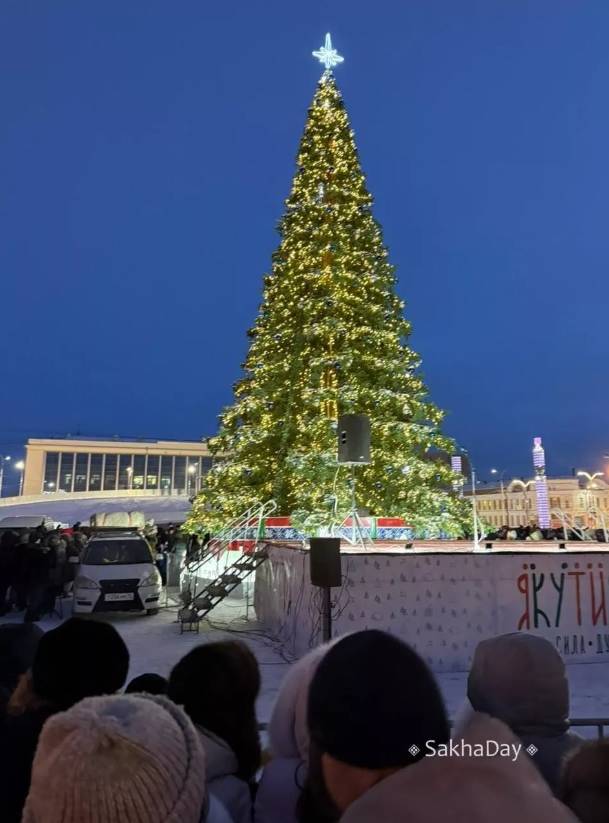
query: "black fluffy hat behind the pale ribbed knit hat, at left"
80, 658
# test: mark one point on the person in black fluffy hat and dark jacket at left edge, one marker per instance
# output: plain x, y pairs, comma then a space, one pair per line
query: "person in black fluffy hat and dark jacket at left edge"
80, 658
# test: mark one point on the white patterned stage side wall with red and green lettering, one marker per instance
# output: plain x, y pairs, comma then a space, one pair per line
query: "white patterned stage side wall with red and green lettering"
443, 598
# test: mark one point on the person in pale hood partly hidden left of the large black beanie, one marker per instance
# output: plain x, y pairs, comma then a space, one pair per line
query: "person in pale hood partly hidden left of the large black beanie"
283, 777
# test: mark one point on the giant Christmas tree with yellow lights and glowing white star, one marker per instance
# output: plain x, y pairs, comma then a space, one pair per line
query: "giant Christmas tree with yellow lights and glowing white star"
330, 339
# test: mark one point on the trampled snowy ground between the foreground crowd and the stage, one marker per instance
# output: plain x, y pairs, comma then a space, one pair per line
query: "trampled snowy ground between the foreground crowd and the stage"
155, 645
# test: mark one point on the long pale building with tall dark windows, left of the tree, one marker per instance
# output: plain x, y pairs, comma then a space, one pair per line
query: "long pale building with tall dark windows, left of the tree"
95, 465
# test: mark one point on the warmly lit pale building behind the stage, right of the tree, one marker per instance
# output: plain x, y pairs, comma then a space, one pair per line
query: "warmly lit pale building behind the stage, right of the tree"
581, 503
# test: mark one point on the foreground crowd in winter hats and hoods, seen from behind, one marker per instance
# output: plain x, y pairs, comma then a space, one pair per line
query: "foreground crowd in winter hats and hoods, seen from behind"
359, 733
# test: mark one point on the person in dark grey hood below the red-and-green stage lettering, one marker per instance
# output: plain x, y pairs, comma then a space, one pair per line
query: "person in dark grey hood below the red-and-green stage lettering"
520, 679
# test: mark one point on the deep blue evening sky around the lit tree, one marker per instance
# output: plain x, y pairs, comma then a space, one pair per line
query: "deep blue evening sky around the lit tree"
145, 153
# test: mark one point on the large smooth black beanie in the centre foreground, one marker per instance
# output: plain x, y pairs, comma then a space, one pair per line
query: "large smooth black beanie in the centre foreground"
372, 701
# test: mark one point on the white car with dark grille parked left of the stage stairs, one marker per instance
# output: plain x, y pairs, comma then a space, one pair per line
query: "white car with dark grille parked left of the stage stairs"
117, 572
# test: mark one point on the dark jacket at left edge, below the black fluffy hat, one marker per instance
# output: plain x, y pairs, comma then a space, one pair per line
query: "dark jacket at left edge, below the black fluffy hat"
18, 740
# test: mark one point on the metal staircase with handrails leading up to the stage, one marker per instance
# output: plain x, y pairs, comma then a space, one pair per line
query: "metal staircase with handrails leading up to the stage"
248, 526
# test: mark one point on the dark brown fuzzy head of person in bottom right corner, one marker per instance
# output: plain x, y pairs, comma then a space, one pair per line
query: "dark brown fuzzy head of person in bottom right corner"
584, 783
